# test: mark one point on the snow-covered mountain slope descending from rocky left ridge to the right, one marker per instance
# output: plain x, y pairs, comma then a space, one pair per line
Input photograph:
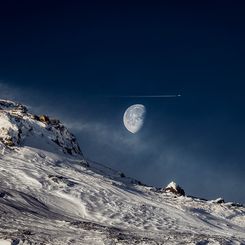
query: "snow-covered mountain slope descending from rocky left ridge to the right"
49, 194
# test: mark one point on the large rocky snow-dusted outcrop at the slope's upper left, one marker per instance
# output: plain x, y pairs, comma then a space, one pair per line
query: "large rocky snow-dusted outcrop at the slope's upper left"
19, 127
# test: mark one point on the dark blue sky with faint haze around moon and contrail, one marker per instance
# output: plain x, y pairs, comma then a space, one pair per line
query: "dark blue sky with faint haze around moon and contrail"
63, 57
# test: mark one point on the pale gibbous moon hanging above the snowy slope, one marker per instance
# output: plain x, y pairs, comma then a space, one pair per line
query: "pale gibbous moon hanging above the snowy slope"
133, 118
